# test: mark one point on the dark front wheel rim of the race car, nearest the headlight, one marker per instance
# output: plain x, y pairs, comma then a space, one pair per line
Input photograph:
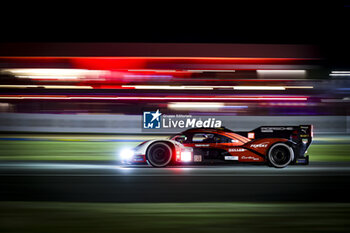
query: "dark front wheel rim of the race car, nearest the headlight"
159, 155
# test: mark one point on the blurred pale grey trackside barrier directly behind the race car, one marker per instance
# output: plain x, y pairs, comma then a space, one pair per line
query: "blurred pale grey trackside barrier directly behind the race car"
132, 124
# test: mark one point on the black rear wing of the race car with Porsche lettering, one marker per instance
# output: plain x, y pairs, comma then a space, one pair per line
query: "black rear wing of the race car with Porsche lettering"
301, 133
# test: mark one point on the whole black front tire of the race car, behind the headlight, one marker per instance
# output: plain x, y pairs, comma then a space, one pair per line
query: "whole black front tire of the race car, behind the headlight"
159, 154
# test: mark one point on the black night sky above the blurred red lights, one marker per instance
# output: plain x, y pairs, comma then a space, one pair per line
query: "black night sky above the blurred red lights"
323, 23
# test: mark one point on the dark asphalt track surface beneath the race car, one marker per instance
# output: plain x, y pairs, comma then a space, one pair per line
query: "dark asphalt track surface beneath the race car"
93, 182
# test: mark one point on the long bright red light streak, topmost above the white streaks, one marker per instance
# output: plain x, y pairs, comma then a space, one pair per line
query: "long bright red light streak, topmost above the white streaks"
114, 63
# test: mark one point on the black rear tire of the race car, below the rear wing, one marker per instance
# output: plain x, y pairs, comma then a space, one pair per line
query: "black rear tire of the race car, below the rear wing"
280, 155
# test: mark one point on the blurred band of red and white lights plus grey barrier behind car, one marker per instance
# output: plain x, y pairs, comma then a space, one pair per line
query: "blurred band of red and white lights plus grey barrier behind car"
67, 87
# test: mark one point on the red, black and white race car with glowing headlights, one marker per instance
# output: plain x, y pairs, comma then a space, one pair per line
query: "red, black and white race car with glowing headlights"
277, 146
